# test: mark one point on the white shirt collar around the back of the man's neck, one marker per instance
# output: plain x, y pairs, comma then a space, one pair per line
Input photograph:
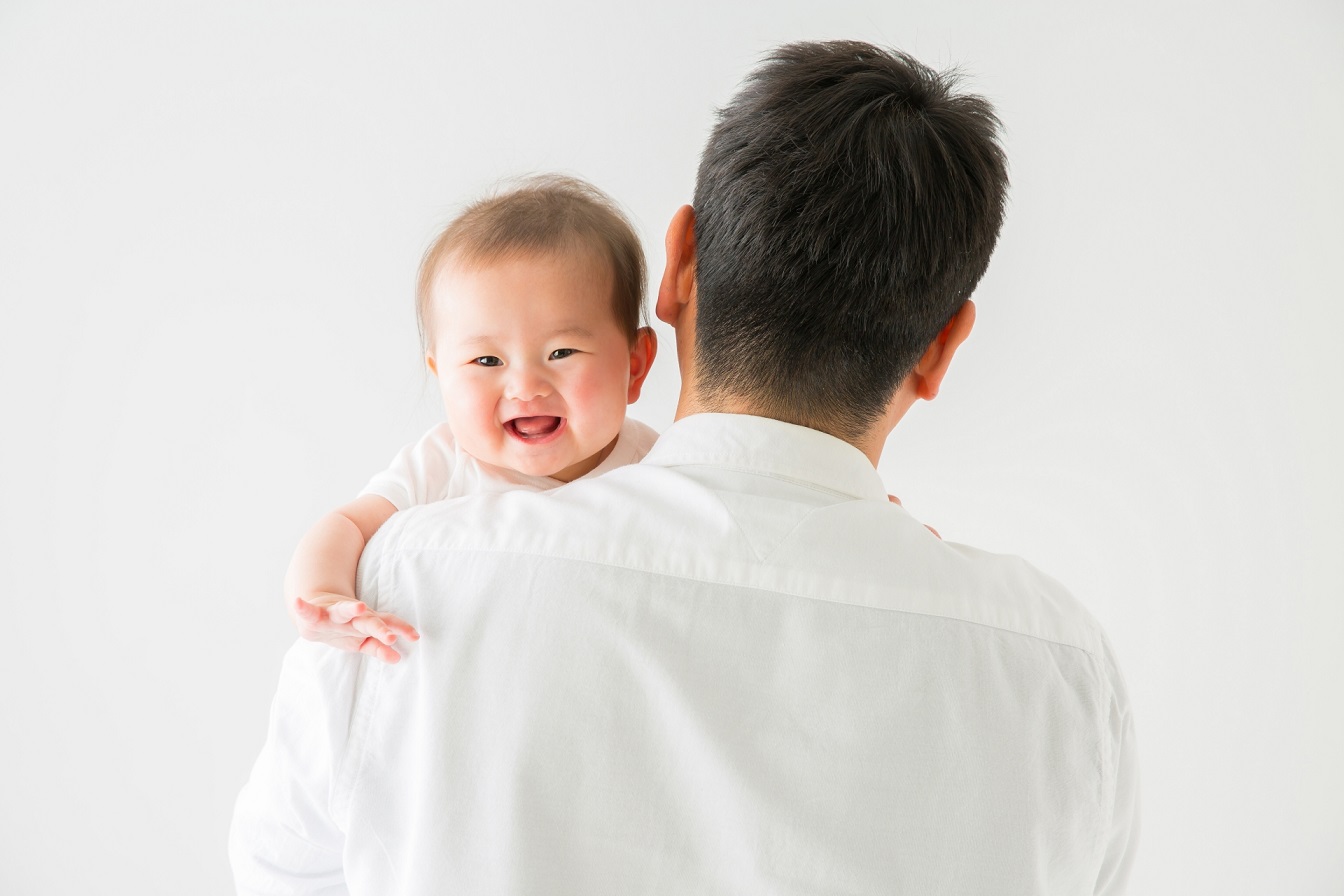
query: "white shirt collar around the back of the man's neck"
769, 448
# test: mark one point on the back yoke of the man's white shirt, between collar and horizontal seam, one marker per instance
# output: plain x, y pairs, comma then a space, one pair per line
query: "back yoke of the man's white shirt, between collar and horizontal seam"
658, 522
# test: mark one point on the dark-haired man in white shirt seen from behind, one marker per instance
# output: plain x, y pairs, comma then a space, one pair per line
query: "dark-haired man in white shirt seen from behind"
734, 668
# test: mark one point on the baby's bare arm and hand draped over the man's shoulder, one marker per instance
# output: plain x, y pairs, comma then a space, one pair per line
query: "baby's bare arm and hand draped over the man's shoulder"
321, 584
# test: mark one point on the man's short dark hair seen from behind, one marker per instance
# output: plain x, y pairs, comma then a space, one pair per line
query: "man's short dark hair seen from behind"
847, 205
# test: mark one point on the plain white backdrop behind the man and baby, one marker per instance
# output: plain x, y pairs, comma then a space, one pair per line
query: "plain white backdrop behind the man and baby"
210, 220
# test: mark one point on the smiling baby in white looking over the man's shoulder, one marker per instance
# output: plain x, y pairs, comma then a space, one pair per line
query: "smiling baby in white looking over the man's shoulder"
530, 310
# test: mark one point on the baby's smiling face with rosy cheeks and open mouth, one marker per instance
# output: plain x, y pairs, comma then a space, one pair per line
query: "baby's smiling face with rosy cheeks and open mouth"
534, 370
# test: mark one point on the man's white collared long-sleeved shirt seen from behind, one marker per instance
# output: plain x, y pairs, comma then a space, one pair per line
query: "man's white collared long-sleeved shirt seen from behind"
734, 668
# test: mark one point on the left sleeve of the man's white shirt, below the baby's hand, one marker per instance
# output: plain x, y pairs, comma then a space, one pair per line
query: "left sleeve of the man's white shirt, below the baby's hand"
284, 836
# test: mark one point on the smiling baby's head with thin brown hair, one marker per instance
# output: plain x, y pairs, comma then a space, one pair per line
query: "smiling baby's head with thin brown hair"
530, 308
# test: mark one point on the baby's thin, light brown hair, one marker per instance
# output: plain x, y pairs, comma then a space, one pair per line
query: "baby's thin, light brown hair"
538, 216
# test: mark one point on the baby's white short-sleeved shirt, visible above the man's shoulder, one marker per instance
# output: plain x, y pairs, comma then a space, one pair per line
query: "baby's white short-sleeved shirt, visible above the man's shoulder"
437, 469
